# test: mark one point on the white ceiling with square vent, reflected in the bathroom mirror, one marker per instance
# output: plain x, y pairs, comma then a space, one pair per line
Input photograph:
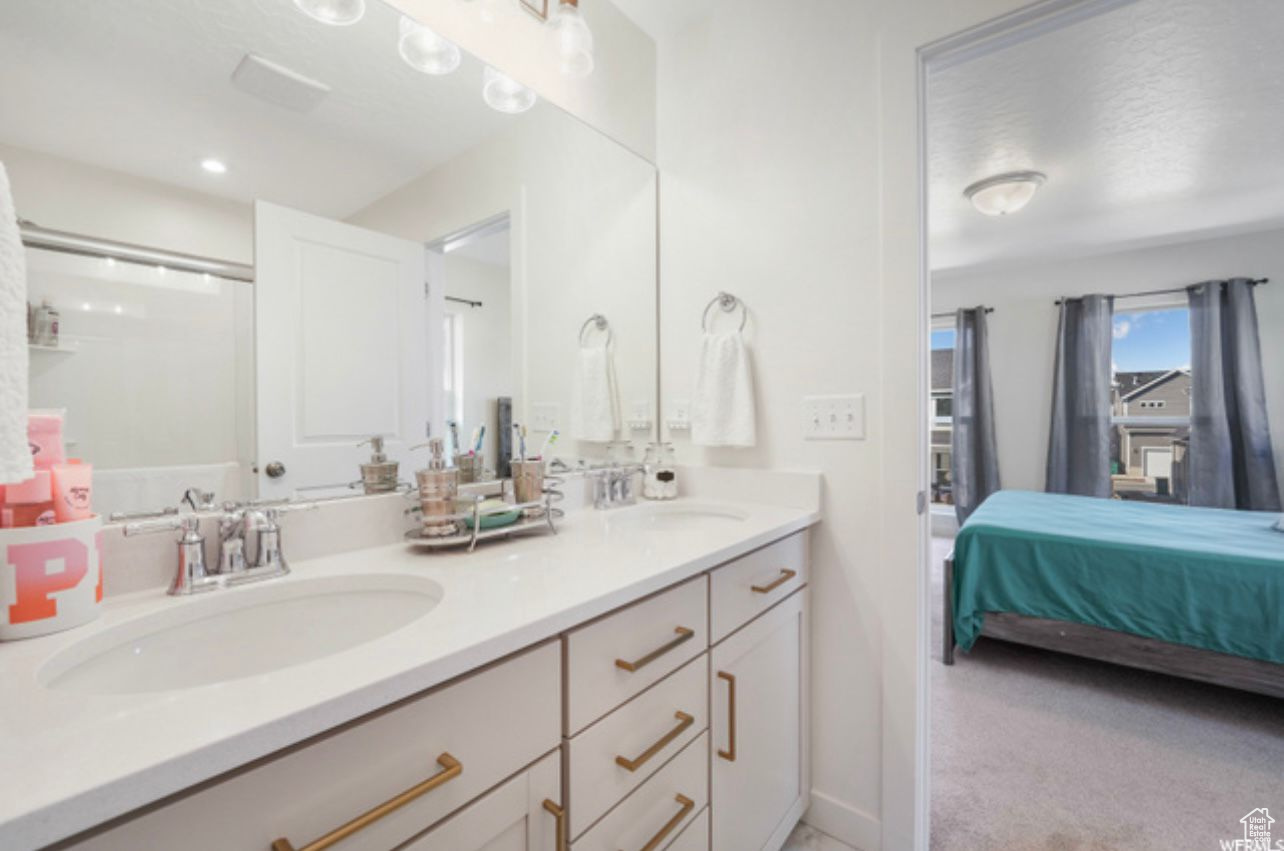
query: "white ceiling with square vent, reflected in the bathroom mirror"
143, 87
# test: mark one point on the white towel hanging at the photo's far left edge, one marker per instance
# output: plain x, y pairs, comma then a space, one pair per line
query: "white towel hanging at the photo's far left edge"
15, 450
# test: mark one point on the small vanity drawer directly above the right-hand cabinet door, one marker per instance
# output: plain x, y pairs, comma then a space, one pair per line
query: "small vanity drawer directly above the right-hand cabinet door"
745, 589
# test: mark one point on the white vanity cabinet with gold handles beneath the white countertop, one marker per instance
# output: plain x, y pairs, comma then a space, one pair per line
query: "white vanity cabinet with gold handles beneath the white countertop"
675, 723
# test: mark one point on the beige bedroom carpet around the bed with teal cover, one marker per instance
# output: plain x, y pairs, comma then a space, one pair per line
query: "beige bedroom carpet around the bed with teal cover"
1042, 752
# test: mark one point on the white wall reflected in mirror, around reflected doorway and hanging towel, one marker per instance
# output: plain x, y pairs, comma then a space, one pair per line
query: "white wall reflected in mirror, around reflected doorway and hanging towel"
584, 224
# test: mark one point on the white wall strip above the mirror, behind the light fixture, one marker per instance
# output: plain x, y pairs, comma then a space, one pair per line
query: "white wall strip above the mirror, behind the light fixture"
618, 98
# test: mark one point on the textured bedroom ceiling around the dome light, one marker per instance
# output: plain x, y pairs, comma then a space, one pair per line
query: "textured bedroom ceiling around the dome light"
1156, 121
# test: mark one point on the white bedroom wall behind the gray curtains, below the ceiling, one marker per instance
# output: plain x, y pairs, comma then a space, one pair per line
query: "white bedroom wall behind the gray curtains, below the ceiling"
1024, 325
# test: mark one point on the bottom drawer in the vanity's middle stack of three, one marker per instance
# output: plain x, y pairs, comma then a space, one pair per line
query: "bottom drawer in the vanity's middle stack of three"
663, 807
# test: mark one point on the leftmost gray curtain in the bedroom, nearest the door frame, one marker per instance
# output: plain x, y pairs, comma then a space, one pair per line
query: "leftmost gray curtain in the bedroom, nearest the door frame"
974, 454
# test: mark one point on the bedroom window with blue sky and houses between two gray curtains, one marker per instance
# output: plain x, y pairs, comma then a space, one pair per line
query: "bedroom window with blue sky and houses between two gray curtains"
1151, 404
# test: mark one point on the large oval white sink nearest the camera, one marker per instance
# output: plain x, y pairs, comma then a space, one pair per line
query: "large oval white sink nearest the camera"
241, 633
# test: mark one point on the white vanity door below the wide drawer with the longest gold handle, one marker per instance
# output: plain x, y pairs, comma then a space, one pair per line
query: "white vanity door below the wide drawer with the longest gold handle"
521, 816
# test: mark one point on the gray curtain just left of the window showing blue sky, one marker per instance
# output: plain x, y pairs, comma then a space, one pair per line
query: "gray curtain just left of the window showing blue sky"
1079, 447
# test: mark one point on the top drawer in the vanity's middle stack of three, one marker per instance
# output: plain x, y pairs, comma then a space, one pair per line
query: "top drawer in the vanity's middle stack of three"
614, 659
